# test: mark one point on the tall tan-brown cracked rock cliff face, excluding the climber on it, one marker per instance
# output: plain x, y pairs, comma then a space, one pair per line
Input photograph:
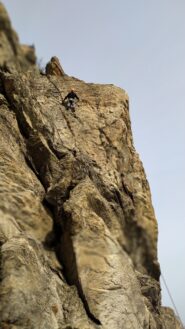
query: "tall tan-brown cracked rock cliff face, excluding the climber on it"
78, 233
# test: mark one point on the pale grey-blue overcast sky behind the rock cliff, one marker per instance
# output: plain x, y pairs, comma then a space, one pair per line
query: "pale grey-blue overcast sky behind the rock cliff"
138, 45
